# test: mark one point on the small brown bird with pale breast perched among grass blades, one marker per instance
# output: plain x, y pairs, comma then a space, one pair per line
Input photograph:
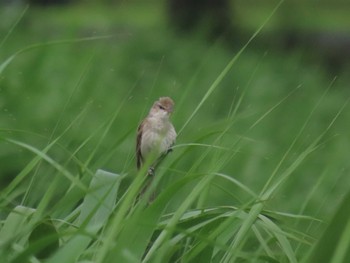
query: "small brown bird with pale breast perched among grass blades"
155, 134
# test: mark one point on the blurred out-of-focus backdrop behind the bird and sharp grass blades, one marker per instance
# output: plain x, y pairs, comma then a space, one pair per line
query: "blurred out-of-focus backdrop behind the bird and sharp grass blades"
150, 49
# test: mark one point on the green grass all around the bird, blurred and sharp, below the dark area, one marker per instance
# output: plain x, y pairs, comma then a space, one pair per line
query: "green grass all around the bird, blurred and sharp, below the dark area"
259, 173
